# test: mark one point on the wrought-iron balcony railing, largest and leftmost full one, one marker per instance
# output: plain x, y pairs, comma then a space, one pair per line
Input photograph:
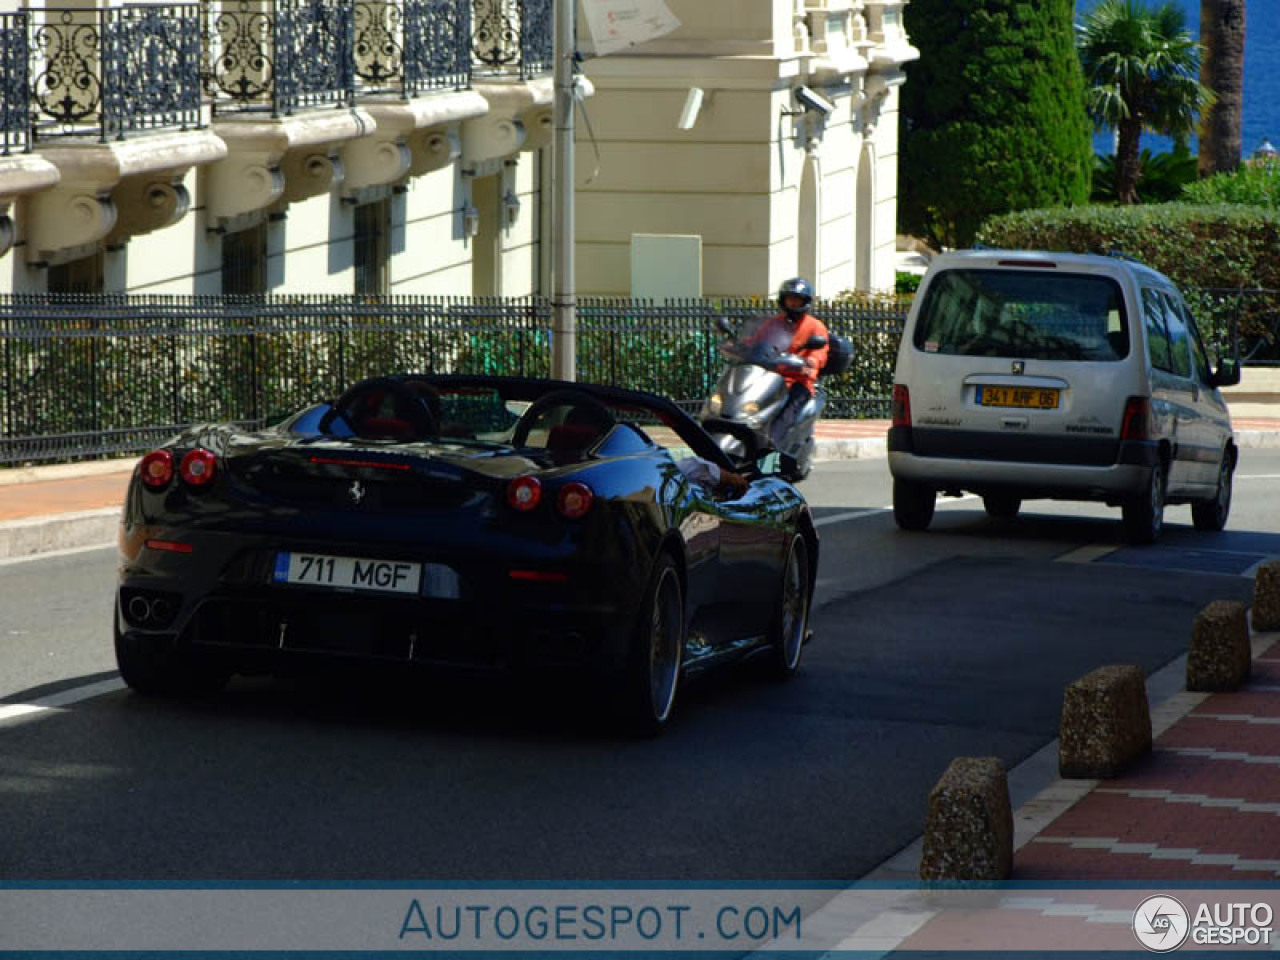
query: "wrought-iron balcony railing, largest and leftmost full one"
112, 71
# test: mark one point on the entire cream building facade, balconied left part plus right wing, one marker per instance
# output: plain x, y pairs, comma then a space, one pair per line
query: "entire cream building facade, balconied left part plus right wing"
385, 147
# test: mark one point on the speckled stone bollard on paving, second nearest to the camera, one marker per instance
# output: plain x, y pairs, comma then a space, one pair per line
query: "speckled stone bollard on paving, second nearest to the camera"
1107, 724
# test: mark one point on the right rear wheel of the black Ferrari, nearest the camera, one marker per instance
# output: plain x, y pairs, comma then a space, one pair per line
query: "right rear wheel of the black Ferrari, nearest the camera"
657, 653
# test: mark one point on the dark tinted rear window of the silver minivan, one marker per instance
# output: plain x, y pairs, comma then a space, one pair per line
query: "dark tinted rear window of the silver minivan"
1025, 314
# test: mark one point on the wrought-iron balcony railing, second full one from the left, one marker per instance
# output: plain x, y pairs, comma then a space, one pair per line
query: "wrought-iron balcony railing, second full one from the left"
280, 56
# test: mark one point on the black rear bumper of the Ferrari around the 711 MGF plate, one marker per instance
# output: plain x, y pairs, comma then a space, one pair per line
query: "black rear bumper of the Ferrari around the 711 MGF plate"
222, 605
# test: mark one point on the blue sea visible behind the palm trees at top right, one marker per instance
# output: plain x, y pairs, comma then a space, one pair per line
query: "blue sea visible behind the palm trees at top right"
1261, 76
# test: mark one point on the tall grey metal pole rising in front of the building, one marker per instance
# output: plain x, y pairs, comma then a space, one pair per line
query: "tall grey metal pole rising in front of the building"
564, 296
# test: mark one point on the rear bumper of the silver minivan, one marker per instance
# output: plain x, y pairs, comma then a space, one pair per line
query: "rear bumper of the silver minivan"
1030, 467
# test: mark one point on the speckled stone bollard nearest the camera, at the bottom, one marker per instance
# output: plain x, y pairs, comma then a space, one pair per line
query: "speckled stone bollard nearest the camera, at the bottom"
970, 825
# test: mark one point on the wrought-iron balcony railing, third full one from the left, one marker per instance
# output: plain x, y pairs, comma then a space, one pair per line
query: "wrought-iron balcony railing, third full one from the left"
412, 47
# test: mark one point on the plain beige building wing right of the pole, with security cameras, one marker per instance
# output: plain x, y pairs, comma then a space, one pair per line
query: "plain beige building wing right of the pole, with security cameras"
769, 129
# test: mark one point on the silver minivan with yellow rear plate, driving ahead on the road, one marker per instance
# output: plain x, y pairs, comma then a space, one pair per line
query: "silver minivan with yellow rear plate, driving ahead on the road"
1069, 377
